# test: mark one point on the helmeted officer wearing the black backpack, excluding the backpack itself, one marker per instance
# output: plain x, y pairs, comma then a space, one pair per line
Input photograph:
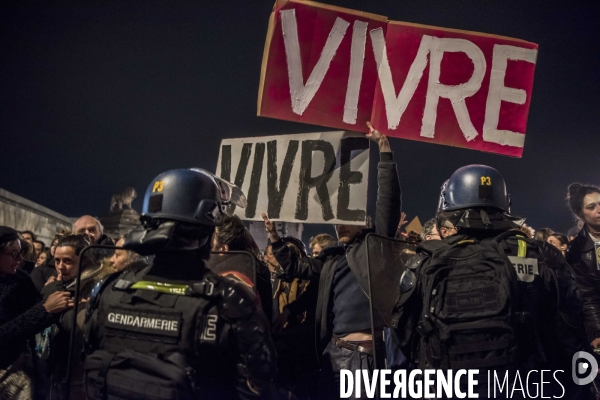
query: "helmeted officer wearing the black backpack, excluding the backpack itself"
476, 202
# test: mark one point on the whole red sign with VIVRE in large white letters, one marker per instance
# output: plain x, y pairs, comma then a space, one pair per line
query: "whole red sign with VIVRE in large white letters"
336, 67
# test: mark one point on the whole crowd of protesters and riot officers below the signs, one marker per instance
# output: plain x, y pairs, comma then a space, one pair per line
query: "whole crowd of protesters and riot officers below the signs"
147, 309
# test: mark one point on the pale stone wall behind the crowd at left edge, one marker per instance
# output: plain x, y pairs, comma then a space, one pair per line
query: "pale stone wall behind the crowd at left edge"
25, 215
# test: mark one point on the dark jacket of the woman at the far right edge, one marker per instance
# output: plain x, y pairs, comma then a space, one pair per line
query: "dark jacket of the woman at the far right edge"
582, 258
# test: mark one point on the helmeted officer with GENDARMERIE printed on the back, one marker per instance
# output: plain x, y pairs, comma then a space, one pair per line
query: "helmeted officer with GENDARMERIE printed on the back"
176, 329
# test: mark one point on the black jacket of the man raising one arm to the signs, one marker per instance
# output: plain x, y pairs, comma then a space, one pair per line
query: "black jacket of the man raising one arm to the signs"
387, 217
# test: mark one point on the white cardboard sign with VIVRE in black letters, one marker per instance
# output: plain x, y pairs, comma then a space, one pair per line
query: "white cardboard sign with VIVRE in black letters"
308, 178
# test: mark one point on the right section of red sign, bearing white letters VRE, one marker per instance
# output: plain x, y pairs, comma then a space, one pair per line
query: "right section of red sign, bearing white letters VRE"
453, 87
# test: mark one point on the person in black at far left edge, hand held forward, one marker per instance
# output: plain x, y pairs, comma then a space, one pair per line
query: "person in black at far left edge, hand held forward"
22, 315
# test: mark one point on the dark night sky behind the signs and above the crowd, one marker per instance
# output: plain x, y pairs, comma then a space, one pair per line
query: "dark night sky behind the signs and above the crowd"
95, 97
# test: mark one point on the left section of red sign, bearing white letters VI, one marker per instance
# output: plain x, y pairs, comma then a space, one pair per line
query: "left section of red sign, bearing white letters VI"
319, 66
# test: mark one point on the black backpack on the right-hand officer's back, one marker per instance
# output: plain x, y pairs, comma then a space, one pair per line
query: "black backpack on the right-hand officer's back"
470, 306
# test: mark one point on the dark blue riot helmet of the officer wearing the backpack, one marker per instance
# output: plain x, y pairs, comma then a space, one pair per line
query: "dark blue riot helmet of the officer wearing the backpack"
474, 186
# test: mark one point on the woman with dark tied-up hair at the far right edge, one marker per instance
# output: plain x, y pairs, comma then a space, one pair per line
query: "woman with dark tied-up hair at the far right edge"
582, 254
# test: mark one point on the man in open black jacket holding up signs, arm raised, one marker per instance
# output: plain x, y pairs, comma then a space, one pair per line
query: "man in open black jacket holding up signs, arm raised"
343, 324
